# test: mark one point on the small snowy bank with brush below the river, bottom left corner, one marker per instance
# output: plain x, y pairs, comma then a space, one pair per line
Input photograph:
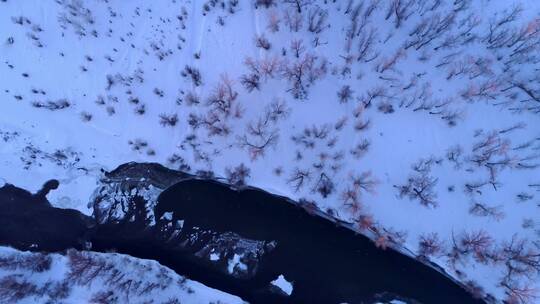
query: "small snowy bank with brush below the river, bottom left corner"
88, 277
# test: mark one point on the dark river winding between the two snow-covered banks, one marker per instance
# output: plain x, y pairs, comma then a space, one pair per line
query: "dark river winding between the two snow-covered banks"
238, 242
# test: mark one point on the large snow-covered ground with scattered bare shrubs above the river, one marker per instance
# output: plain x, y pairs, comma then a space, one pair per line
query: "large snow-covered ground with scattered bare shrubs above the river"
417, 119
